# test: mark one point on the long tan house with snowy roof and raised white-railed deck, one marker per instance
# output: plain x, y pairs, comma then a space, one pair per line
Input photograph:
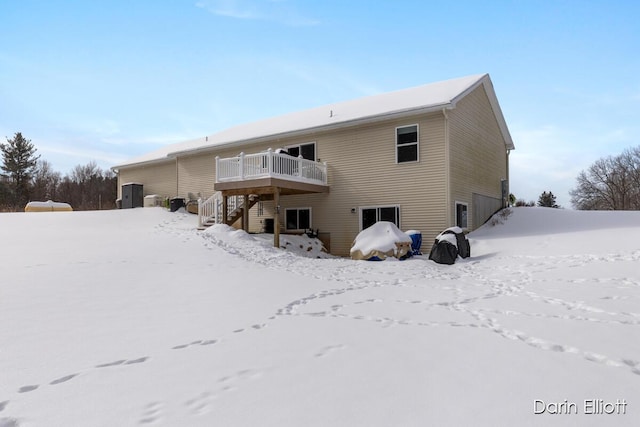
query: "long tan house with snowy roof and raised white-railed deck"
425, 158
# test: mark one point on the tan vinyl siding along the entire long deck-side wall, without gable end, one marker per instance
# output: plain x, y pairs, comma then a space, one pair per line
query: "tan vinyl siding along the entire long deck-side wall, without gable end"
362, 171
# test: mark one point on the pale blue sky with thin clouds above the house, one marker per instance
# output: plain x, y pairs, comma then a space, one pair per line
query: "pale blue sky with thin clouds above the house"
108, 80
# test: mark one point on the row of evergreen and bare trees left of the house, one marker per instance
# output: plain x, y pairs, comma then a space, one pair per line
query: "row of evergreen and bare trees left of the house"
25, 177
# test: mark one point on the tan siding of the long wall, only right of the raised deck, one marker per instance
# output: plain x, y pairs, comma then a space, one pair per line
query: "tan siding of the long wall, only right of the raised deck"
363, 171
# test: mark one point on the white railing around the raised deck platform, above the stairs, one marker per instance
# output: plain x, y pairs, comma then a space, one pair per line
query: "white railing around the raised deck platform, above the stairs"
270, 164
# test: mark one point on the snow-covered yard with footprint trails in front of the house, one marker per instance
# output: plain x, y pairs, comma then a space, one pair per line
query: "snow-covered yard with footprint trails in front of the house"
132, 317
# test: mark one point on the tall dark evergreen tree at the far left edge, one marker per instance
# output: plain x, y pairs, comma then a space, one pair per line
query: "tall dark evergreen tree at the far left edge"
19, 162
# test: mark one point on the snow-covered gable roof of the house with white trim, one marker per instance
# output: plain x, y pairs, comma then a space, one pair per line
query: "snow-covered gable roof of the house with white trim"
421, 99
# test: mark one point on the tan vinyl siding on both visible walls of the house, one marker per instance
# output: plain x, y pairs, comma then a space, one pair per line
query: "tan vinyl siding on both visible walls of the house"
362, 171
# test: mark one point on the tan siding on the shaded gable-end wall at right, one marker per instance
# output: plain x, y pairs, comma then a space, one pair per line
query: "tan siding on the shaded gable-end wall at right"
478, 157
